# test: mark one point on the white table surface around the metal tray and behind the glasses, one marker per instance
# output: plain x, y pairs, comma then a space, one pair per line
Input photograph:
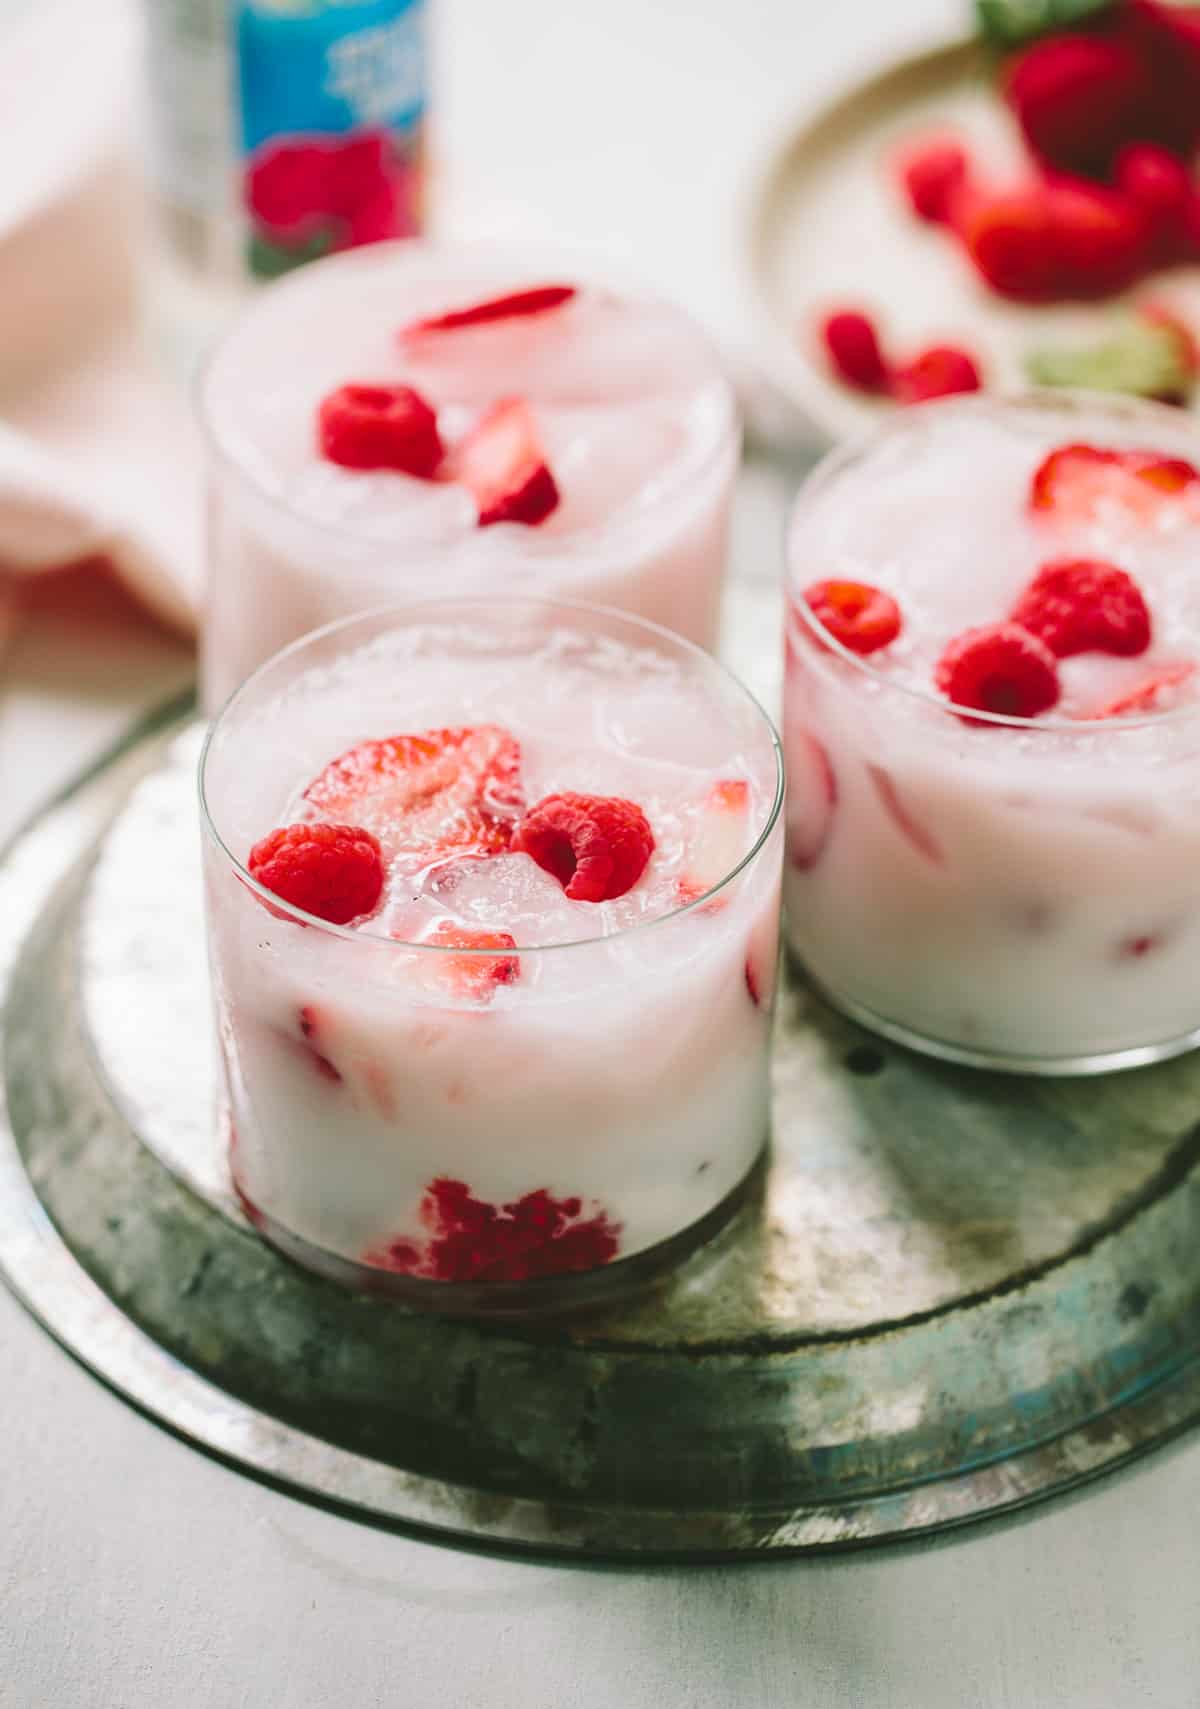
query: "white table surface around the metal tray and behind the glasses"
136, 1573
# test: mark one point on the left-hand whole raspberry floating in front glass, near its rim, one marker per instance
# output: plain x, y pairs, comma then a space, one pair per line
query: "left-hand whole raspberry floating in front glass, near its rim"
334, 872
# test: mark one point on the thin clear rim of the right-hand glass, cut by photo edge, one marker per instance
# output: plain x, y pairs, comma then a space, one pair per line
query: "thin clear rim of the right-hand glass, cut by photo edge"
1064, 401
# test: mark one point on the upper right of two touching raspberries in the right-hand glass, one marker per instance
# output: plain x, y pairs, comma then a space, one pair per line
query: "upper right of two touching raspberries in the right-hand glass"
1085, 606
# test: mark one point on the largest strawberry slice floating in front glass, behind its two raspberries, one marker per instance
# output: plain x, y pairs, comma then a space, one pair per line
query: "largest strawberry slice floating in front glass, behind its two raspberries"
428, 796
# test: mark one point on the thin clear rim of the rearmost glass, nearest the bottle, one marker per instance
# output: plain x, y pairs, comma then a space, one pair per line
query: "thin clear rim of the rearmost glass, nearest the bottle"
594, 273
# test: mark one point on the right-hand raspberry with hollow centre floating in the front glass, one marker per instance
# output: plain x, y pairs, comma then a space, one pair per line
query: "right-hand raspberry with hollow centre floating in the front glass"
597, 847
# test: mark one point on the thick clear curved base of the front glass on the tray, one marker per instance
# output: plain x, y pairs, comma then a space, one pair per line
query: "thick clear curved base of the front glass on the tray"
544, 1296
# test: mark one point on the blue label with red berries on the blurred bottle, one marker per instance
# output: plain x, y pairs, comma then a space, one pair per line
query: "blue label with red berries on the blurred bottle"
332, 95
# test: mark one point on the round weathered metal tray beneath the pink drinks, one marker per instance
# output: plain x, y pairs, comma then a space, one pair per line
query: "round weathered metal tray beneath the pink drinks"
953, 1293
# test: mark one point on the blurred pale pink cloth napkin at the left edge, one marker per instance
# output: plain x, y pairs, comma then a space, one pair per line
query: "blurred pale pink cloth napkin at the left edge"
98, 454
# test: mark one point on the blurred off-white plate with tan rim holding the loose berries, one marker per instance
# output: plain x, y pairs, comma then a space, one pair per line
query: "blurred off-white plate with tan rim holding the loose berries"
828, 225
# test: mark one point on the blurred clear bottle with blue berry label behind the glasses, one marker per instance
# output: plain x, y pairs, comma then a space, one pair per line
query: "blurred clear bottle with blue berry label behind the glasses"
283, 131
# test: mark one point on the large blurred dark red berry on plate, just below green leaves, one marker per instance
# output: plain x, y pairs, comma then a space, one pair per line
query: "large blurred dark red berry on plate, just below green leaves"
1079, 100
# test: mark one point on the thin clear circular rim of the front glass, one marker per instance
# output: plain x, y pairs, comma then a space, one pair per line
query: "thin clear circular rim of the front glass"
404, 614
